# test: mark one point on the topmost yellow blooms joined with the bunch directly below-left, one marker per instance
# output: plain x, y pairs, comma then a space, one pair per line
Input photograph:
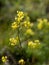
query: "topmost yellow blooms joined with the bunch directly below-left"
20, 16
